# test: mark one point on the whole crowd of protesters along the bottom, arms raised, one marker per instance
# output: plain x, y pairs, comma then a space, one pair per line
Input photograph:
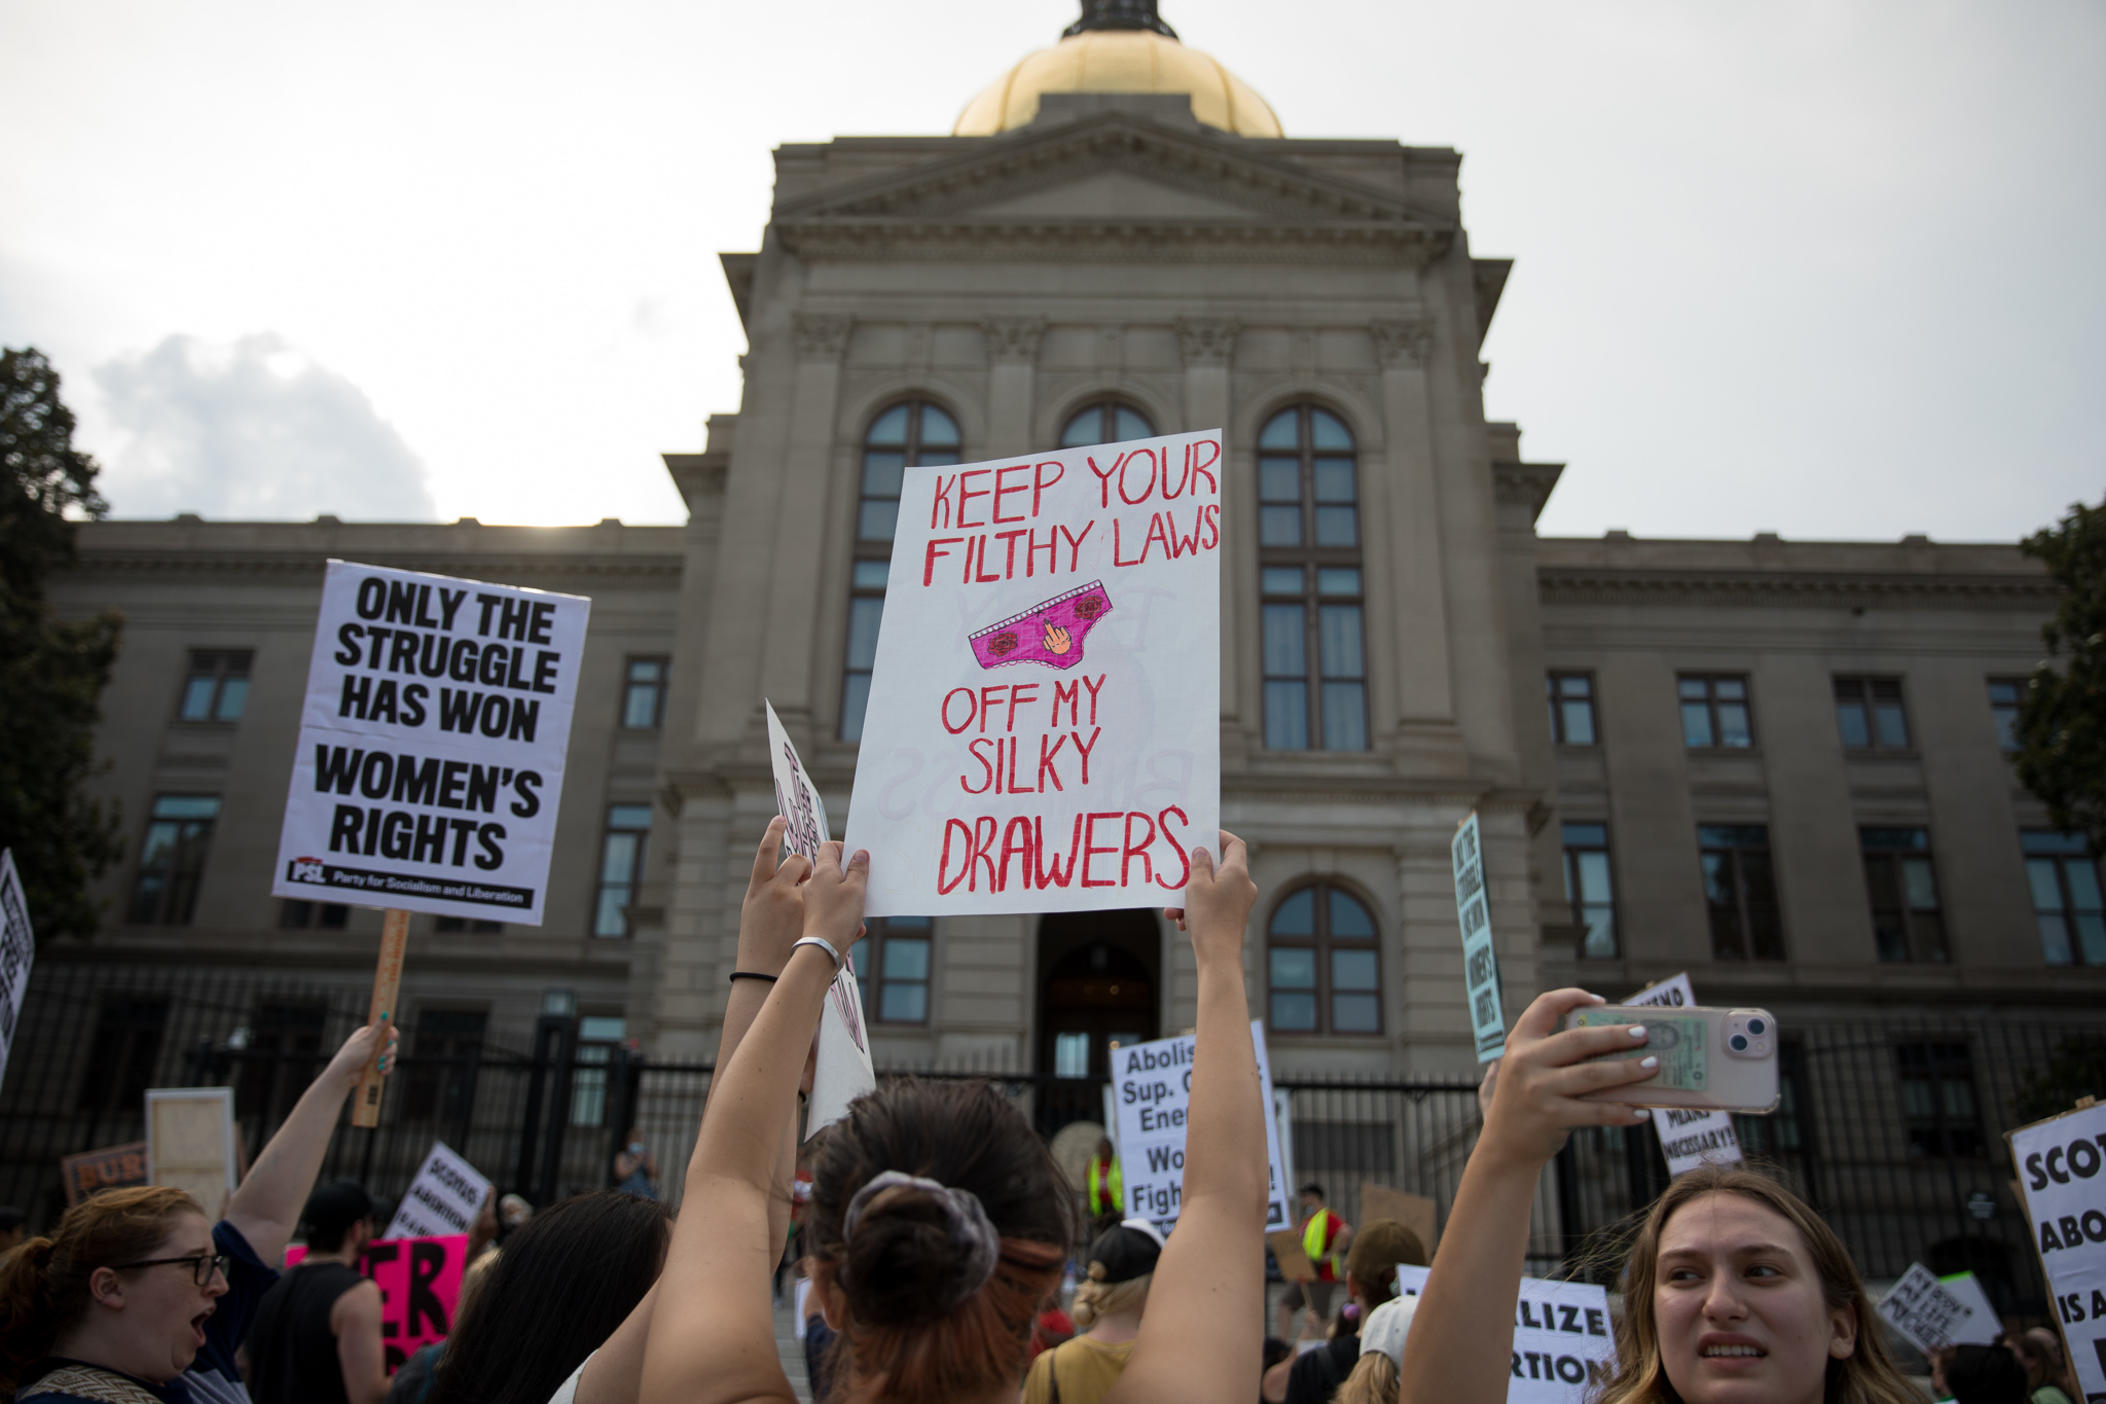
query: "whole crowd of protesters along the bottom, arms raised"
934, 1235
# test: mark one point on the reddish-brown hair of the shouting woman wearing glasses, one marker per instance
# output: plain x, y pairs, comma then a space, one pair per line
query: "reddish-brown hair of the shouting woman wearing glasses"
45, 1283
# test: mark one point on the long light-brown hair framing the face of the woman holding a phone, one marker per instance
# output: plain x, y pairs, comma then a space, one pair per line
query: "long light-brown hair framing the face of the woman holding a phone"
1865, 1378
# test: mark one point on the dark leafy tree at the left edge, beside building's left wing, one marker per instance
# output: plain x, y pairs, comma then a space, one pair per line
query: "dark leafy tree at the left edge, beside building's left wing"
52, 673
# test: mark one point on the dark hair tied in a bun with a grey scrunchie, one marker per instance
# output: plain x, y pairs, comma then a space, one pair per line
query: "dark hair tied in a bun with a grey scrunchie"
907, 1336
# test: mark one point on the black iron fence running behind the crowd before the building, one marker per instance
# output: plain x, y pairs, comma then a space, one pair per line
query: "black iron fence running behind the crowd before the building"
1890, 1127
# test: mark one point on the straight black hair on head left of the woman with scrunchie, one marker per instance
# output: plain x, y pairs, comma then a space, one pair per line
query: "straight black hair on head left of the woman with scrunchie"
561, 1287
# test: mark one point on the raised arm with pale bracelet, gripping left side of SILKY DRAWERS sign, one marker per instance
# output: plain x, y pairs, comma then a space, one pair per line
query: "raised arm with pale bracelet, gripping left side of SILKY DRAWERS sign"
713, 1333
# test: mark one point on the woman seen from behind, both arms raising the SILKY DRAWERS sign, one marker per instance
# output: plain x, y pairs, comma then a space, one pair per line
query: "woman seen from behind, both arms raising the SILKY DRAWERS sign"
938, 1224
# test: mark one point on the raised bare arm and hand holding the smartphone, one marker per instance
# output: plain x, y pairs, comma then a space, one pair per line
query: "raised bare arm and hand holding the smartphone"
1454, 1352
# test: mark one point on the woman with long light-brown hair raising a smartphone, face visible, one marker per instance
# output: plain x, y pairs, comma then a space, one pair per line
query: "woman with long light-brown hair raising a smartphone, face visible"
1734, 1289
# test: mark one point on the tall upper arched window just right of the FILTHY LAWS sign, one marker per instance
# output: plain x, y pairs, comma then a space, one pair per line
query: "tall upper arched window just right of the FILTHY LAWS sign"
1309, 563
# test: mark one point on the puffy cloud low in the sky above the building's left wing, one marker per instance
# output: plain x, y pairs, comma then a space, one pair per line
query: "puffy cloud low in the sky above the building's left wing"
252, 430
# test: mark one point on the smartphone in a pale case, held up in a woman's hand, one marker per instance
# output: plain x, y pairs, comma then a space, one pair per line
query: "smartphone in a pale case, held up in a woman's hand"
1713, 1060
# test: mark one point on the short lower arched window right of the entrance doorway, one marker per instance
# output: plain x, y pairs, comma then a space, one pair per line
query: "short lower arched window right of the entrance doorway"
1324, 965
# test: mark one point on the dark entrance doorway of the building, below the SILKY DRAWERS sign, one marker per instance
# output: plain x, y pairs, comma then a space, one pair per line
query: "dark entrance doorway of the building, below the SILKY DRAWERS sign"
1098, 986
